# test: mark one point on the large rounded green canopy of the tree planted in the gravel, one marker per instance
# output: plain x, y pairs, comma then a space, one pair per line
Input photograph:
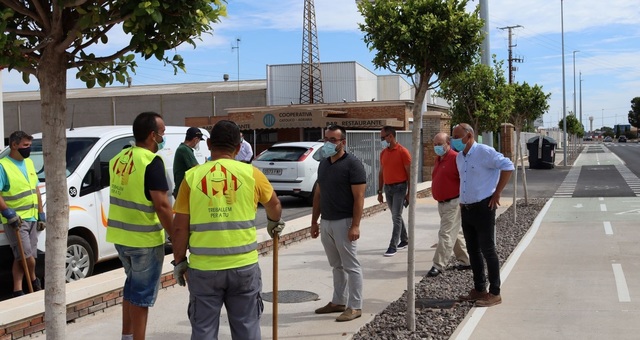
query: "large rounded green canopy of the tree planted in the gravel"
426, 40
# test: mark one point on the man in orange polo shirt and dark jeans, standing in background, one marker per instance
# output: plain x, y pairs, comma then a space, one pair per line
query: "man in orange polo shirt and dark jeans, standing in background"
393, 178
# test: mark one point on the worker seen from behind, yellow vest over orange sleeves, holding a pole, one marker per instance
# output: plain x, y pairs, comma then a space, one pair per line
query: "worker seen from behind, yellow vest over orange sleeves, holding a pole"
215, 212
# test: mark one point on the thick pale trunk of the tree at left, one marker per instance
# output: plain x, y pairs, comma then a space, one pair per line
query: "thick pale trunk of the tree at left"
52, 76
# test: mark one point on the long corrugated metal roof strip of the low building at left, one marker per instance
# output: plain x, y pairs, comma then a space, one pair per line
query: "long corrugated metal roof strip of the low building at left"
122, 91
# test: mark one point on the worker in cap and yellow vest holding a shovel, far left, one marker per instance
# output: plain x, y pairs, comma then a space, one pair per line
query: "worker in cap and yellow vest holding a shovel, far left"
21, 210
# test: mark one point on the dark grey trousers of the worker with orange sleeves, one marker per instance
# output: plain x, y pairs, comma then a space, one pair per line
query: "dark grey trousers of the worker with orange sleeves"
238, 289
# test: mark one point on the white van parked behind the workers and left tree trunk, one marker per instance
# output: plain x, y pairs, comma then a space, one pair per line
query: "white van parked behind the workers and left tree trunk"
89, 150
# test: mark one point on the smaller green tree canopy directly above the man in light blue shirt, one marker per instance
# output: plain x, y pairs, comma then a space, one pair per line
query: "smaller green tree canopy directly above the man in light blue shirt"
479, 95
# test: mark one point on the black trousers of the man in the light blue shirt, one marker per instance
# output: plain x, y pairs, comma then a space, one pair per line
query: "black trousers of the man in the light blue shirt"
478, 226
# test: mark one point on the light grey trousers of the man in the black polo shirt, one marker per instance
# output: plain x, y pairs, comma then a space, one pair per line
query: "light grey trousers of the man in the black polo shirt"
341, 253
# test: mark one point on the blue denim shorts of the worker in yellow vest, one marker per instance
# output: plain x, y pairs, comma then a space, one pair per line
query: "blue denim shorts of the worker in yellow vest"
143, 267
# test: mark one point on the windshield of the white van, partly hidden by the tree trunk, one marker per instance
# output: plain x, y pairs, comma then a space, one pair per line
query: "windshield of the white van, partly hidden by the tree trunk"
77, 148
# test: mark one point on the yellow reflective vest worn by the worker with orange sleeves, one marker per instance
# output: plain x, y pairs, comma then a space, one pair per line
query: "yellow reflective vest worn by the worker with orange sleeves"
222, 213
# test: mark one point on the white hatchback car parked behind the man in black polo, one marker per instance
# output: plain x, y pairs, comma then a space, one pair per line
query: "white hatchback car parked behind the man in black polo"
292, 168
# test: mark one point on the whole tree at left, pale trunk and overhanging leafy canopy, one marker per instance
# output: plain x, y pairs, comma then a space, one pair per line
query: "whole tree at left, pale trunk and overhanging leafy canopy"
45, 38
